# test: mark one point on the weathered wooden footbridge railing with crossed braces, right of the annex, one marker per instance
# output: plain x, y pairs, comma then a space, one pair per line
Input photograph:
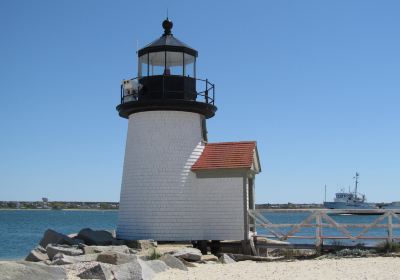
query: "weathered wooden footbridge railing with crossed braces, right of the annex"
320, 219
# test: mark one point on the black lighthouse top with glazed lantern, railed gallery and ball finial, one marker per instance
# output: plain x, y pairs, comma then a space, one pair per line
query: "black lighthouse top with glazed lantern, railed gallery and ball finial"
167, 80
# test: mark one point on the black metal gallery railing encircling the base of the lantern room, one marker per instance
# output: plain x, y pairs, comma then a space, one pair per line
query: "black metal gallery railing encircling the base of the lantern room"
134, 90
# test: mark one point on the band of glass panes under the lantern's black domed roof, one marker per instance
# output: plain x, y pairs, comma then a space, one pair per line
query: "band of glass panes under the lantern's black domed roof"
167, 63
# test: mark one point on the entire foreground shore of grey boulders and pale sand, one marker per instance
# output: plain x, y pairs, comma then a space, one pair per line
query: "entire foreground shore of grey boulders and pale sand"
98, 254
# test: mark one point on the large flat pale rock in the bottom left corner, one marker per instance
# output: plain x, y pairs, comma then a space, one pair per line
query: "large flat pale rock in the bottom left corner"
32, 271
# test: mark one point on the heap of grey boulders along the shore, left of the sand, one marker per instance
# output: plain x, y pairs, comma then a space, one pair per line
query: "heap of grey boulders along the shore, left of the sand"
92, 254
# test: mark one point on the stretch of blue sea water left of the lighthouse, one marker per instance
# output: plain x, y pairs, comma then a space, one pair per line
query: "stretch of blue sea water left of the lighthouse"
21, 230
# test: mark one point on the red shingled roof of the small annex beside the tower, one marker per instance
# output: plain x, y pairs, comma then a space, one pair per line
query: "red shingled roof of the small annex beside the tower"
226, 155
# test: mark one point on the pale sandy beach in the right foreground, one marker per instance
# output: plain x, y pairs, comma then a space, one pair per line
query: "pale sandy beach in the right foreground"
345, 268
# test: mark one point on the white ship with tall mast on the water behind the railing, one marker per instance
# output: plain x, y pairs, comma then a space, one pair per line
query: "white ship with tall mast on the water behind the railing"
350, 199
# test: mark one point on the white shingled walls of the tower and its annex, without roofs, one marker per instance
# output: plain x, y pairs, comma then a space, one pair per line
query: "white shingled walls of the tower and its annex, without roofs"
161, 198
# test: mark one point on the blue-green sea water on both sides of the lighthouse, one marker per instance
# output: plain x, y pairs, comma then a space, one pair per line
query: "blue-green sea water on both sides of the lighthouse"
21, 230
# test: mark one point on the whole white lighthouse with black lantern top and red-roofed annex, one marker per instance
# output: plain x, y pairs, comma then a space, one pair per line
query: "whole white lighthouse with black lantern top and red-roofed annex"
175, 185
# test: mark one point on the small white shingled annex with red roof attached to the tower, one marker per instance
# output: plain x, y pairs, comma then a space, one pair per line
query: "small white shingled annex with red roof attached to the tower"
239, 163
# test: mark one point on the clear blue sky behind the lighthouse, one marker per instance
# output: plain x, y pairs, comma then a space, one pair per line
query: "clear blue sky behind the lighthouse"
316, 83
